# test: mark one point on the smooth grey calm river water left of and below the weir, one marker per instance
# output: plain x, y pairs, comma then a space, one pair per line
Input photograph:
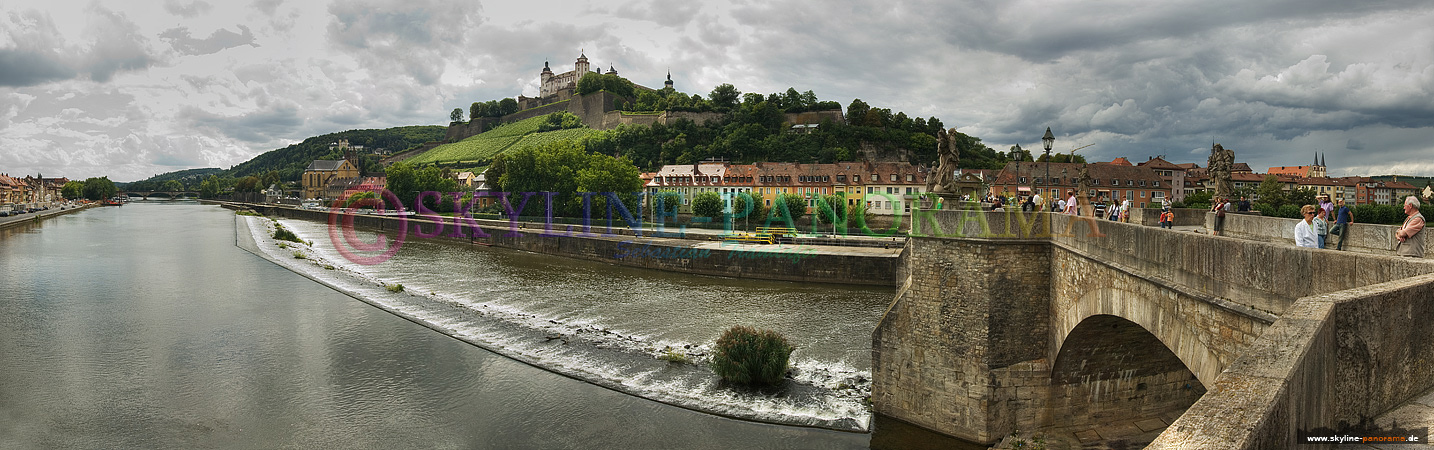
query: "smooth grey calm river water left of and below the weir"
146, 326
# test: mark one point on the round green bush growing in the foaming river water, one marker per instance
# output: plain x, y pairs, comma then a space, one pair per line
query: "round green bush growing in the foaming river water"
751, 356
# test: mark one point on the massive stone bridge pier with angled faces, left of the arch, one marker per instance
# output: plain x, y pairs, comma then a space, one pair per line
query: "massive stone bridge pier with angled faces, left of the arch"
963, 348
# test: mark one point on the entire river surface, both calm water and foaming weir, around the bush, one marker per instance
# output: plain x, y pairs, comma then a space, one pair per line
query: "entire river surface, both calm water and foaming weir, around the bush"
147, 326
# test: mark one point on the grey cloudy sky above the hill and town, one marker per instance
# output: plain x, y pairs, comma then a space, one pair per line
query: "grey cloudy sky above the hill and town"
131, 90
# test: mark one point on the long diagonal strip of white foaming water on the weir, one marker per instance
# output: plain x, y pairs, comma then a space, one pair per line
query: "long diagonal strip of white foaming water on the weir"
828, 395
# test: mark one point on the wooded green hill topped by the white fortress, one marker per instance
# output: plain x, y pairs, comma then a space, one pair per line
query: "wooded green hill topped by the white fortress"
606, 114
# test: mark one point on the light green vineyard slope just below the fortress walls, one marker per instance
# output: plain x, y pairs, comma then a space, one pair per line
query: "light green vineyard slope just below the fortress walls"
481, 148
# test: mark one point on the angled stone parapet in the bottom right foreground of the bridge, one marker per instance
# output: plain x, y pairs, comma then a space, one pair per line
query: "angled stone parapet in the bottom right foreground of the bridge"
1330, 359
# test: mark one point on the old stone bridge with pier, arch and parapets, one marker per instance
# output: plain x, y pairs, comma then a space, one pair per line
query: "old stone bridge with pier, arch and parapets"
1013, 322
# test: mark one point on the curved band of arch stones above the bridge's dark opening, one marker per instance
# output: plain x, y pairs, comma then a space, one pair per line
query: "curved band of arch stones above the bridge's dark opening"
1151, 315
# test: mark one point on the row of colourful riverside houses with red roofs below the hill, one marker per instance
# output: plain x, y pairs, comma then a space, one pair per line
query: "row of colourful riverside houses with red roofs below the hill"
887, 188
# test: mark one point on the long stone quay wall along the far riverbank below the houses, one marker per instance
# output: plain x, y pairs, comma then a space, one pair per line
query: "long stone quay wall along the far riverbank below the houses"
646, 249
